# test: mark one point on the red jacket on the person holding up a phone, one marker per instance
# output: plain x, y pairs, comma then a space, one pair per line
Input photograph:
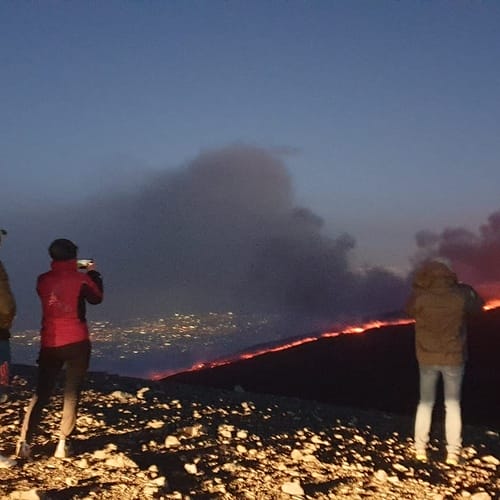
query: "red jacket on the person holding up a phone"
63, 292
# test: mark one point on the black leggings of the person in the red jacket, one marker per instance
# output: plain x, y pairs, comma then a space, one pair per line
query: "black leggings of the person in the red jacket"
75, 358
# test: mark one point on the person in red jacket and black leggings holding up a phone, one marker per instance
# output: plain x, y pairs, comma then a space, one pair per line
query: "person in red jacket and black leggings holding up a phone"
64, 340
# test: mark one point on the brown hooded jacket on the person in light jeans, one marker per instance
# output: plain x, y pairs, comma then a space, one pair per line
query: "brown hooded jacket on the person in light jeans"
439, 305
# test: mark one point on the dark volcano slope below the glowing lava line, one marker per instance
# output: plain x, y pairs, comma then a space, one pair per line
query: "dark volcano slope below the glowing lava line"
375, 369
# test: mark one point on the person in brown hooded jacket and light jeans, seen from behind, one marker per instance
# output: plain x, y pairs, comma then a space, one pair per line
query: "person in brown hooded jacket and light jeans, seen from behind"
440, 305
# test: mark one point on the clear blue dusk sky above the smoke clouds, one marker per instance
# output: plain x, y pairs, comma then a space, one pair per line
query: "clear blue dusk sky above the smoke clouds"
385, 114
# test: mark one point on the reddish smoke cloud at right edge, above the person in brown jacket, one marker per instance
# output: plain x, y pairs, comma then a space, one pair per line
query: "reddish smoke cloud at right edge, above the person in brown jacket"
473, 255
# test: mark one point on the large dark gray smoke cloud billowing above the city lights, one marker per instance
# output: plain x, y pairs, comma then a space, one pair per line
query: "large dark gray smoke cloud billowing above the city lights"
222, 232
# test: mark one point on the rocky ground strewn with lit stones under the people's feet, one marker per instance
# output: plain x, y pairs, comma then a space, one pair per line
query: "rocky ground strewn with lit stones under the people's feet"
137, 439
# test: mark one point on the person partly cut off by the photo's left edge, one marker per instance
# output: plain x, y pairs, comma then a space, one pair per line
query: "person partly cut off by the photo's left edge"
7, 313
